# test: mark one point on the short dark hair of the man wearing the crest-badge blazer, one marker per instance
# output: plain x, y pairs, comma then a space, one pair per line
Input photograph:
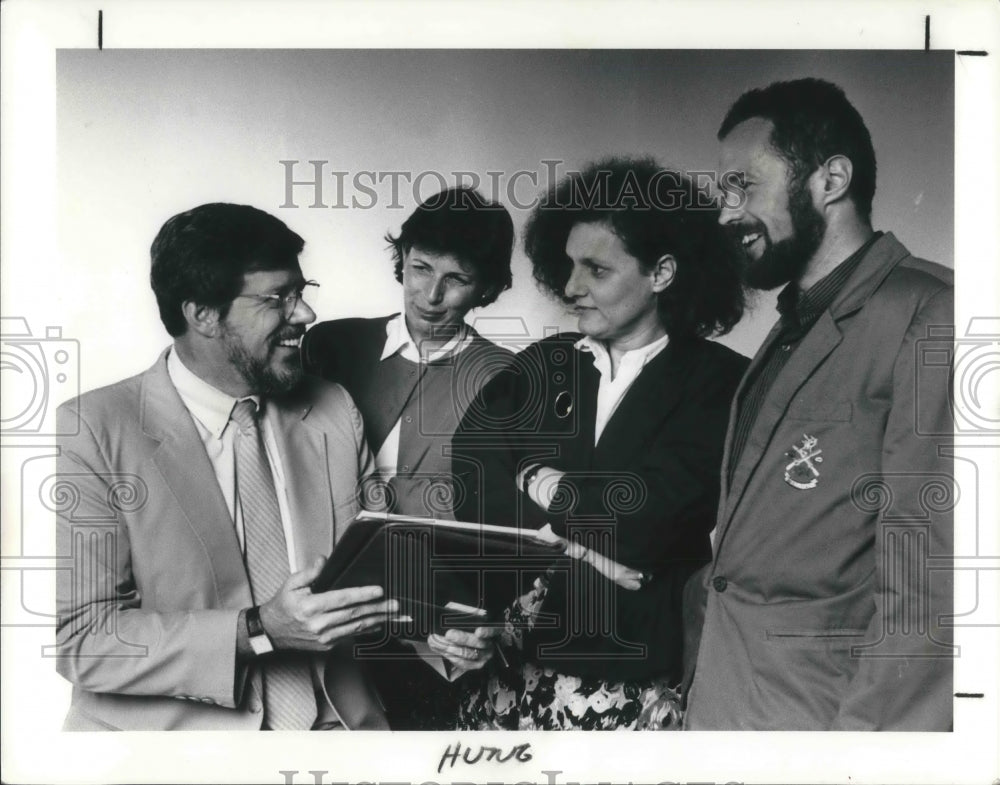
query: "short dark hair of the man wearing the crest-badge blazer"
813, 120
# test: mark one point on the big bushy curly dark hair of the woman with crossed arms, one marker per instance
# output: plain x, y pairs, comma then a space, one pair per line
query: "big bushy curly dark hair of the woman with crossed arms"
654, 211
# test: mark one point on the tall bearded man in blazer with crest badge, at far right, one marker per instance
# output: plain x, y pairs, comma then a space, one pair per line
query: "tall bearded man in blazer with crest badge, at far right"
827, 603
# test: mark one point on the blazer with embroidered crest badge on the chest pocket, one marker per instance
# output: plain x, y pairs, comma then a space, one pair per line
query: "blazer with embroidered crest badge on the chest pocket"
822, 609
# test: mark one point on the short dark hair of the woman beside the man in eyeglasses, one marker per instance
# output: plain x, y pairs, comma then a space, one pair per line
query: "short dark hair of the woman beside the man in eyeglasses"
460, 222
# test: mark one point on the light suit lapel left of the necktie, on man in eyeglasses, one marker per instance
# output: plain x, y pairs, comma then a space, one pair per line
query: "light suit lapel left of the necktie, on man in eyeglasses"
183, 463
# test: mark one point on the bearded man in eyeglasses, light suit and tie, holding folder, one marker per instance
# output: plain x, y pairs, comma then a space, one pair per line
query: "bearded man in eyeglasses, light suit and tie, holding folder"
205, 493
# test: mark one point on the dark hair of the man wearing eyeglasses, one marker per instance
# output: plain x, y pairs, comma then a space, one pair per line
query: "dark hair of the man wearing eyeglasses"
203, 253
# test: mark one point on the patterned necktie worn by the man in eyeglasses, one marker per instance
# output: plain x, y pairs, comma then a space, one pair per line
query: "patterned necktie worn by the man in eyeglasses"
289, 700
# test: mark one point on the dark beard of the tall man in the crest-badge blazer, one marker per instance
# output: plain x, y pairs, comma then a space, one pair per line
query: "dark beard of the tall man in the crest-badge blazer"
786, 259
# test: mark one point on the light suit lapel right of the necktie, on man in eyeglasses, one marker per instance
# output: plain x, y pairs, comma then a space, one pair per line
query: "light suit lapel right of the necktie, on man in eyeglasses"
303, 453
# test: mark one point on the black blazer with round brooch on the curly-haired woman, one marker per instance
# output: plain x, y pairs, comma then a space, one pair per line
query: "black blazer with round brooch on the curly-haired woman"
645, 495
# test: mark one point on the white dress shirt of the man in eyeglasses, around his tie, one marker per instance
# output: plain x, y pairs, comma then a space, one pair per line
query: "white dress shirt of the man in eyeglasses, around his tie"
210, 409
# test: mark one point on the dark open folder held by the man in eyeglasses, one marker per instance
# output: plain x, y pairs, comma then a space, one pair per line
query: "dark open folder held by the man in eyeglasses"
444, 574
